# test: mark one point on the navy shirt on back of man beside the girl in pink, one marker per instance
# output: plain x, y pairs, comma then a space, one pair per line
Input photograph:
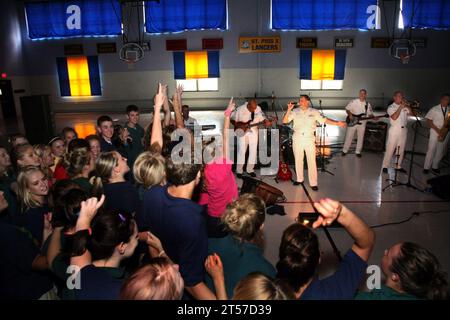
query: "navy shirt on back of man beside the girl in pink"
180, 226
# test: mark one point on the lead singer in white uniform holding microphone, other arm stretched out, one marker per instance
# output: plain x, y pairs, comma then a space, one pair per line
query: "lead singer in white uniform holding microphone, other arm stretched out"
303, 140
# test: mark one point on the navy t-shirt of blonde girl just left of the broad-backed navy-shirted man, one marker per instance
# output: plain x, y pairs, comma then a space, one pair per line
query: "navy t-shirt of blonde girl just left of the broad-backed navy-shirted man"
122, 196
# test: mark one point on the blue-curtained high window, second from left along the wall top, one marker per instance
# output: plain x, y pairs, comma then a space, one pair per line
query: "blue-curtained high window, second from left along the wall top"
180, 15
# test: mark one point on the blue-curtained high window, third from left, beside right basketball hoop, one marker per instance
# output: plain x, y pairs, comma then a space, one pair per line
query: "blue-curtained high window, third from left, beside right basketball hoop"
321, 15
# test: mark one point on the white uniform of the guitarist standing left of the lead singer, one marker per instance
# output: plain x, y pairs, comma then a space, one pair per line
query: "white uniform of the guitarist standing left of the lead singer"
249, 139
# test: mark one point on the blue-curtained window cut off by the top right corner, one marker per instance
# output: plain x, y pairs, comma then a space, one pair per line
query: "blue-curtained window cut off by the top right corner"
432, 14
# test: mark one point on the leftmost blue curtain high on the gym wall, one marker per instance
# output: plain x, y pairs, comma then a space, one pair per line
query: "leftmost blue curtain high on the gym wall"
73, 18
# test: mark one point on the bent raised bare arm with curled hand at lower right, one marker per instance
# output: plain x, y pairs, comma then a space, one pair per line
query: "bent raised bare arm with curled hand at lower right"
362, 235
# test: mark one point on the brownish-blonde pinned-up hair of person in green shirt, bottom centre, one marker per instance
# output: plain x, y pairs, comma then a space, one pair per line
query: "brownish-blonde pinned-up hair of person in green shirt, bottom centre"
245, 216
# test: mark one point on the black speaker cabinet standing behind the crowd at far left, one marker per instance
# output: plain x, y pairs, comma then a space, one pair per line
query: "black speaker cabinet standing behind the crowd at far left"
37, 118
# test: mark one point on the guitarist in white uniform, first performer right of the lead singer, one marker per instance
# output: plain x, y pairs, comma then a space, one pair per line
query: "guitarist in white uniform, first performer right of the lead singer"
357, 107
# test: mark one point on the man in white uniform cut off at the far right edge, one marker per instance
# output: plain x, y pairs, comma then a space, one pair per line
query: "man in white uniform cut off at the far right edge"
437, 117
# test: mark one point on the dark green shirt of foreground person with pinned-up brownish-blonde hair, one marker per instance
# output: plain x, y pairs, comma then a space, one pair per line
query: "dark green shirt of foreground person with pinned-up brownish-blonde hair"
239, 259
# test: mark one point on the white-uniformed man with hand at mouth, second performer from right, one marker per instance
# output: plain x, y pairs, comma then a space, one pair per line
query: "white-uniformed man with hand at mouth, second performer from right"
398, 113
